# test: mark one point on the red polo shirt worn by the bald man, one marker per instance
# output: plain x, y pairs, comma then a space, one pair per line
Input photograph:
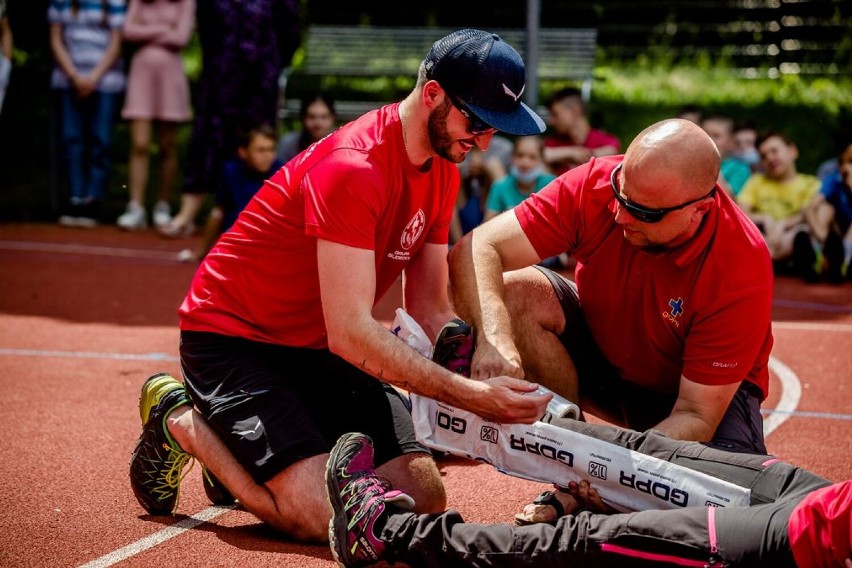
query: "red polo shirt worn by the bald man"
701, 310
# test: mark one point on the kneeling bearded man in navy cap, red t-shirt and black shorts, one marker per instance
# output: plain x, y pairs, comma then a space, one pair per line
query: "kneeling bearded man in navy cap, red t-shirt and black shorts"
279, 349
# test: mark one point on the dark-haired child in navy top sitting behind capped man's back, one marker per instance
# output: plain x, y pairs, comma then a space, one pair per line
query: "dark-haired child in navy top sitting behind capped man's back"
241, 178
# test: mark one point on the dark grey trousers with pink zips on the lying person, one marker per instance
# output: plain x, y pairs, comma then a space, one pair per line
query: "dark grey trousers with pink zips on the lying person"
694, 536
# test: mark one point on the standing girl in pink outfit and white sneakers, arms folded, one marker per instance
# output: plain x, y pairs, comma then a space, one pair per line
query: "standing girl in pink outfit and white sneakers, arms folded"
157, 91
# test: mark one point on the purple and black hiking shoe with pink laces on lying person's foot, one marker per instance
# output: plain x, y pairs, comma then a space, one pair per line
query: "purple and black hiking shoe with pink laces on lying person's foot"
361, 502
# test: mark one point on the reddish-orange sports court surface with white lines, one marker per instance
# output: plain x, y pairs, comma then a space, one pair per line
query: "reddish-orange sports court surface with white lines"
87, 315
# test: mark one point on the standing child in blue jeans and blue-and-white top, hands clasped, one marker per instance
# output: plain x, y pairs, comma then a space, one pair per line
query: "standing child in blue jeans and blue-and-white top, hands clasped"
85, 37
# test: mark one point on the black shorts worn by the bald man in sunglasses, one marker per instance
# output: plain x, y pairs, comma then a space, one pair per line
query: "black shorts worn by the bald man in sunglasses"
601, 385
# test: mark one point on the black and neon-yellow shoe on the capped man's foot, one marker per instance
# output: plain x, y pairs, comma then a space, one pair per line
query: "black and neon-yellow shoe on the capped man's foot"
157, 463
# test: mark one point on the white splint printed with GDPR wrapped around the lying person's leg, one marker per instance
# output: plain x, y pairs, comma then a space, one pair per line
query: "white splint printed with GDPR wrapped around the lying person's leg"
625, 479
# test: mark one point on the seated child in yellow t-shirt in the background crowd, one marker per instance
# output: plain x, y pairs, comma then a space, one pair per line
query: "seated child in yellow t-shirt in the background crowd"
776, 199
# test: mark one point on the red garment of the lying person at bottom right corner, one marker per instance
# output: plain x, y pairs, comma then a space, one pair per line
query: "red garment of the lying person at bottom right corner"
820, 527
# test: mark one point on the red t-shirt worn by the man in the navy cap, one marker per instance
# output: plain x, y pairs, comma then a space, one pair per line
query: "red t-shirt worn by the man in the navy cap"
354, 187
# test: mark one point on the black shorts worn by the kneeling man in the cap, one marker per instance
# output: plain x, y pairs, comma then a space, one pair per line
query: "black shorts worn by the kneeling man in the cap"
274, 406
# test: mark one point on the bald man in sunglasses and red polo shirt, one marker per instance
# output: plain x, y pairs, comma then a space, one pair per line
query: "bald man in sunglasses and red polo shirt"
667, 324
